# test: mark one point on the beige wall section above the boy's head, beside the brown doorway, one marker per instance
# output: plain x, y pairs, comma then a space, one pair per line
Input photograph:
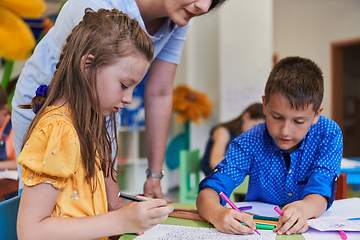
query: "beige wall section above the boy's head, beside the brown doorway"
307, 28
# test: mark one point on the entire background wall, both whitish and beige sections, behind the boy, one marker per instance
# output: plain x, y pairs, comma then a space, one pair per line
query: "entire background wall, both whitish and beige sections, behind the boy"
240, 53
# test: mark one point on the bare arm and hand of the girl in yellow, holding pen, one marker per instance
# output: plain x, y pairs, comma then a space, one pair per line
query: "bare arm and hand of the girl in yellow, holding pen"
35, 221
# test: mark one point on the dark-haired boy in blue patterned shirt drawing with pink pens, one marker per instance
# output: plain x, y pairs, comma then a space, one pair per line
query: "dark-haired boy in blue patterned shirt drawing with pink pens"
293, 159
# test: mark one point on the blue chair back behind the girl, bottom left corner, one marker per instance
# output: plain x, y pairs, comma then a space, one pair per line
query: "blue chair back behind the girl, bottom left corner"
8, 217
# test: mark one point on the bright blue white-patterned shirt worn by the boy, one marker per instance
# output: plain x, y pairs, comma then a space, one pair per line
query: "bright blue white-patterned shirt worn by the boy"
314, 166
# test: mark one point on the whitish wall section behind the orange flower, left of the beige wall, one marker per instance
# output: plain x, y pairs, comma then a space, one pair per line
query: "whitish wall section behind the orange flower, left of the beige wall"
228, 49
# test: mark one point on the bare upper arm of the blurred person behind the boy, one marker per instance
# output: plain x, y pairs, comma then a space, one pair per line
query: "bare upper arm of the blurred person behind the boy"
221, 138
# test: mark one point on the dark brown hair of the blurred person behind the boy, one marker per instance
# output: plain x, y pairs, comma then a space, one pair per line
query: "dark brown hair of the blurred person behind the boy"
256, 112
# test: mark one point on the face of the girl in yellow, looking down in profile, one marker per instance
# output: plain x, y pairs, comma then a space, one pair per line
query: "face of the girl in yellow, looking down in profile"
116, 82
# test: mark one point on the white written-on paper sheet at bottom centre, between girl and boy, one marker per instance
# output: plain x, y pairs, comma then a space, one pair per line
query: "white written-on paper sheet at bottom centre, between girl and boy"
171, 232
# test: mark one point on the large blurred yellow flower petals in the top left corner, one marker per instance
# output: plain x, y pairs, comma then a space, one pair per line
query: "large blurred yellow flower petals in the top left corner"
16, 38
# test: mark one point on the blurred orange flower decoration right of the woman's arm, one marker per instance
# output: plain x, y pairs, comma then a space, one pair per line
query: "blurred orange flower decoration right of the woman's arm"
190, 104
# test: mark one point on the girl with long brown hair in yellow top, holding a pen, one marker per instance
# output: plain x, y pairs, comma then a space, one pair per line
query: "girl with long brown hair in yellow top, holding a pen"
67, 150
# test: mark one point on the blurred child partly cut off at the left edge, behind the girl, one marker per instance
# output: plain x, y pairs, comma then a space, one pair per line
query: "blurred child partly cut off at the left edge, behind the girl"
7, 149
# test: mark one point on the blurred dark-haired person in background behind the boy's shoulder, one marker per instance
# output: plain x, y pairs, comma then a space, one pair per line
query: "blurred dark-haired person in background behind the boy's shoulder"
222, 134
